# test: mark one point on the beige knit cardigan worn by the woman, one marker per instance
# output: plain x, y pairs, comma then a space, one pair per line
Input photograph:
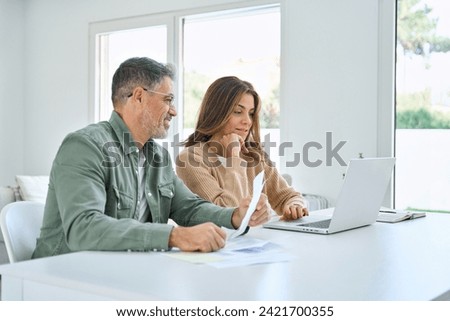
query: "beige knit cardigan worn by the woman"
225, 181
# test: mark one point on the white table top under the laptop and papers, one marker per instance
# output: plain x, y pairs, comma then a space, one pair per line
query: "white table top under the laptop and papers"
403, 261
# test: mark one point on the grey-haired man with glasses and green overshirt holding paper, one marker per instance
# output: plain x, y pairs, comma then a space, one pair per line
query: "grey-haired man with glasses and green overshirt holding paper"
113, 188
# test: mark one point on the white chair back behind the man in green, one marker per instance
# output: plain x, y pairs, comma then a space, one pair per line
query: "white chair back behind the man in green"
20, 223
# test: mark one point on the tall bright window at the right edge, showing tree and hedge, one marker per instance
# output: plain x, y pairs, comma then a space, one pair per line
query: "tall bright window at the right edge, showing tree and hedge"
422, 178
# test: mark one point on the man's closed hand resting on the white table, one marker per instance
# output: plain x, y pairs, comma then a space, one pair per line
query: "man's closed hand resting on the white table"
206, 237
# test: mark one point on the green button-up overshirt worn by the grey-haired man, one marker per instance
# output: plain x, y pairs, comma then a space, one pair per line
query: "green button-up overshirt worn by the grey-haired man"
93, 195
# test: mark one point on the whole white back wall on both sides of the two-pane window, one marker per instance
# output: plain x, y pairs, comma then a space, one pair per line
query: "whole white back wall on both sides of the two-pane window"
330, 75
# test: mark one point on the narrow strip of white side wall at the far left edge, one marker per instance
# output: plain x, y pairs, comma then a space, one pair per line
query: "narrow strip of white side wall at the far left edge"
12, 89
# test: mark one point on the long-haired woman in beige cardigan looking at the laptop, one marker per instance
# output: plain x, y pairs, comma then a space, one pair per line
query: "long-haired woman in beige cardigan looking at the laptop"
224, 154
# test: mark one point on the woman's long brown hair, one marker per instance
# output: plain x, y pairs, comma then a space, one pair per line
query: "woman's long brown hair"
220, 99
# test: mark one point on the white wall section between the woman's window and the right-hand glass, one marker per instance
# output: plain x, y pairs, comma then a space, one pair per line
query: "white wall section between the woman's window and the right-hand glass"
333, 64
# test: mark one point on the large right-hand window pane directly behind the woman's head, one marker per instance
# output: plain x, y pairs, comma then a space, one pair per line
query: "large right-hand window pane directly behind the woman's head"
242, 43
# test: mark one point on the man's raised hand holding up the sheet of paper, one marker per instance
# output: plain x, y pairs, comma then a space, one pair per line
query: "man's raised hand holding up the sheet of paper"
259, 216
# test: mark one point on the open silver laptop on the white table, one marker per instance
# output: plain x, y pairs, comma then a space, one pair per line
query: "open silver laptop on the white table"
358, 204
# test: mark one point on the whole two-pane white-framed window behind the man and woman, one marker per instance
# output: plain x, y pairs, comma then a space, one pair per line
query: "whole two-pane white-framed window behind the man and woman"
204, 46
